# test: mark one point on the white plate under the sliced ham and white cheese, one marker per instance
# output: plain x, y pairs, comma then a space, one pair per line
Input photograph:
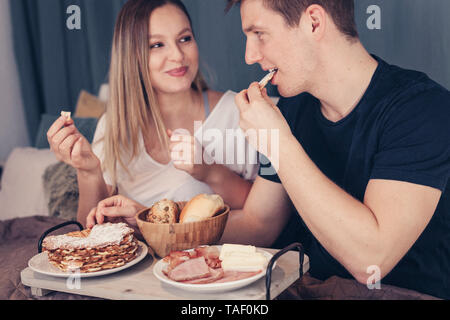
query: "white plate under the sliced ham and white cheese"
209, 287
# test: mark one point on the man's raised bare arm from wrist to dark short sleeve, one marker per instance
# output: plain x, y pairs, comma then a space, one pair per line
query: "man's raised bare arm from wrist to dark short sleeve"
378, 231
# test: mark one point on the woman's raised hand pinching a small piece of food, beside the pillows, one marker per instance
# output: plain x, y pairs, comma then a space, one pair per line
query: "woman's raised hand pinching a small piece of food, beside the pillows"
71, 147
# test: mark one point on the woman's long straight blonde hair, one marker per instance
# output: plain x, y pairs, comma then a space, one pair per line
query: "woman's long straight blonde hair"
132, 102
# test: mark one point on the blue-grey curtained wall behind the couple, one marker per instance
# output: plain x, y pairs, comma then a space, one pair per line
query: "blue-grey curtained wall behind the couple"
414, 34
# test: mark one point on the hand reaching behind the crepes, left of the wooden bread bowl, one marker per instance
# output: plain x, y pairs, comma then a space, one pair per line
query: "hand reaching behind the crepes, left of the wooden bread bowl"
114, 209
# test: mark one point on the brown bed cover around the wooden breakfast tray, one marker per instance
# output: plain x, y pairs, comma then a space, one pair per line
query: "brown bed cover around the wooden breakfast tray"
19, 242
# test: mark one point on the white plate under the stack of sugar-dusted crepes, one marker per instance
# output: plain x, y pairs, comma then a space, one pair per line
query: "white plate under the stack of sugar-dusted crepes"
40, 264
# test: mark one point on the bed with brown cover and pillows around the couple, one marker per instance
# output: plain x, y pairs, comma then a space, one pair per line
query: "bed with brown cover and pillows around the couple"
38, 192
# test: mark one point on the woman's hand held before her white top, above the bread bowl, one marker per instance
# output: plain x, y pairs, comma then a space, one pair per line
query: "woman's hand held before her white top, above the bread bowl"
187, 155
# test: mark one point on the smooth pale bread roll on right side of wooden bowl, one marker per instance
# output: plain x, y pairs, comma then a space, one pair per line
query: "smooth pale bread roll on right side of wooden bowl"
201, 207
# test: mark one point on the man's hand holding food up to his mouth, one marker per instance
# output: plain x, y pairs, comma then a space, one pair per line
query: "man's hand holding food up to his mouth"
261, 121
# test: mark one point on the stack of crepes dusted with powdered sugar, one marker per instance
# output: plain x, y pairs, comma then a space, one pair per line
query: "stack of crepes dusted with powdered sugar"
103, 247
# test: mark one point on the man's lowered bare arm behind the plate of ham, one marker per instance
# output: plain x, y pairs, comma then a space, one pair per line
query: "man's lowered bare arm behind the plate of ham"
265, 214
